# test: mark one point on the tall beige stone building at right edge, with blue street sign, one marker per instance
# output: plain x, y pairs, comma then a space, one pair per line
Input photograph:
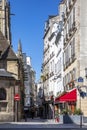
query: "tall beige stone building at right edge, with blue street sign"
75, 53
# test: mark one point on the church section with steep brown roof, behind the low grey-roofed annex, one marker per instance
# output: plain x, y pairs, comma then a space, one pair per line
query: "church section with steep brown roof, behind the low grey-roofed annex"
14, 65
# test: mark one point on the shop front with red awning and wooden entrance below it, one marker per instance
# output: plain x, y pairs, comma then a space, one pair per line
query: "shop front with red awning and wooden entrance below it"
67, 101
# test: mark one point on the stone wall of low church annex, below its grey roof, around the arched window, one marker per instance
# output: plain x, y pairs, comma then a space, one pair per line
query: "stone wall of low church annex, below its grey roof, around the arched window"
7, 106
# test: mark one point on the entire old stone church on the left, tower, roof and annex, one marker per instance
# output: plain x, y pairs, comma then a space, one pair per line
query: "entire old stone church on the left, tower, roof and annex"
11, 71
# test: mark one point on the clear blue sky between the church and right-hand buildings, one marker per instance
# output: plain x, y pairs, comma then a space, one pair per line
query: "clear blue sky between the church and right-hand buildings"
28, 26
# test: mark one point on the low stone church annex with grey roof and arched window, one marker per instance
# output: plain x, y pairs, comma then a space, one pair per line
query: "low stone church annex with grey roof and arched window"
7, 89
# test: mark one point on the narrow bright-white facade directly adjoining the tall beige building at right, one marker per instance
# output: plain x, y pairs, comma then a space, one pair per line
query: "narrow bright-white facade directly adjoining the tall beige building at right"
59, 63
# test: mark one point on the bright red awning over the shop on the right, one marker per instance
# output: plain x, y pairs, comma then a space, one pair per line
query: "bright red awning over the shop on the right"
67, 97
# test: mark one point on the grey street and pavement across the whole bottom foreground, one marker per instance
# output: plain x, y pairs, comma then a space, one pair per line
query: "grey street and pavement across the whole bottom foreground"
36, 123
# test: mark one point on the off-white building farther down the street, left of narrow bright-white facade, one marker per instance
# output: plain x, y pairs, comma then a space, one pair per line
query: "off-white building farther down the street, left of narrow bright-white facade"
50, 51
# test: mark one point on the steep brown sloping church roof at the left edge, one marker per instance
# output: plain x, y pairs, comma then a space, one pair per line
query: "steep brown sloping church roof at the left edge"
6, 51
